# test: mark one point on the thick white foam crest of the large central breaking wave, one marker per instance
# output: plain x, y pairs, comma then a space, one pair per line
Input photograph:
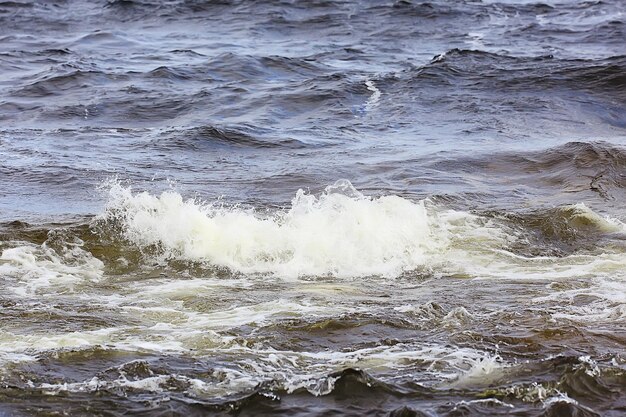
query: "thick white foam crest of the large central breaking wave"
340, 232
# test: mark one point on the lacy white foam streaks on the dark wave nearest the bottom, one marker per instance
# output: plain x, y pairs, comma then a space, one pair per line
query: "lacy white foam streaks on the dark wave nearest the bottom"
312, 371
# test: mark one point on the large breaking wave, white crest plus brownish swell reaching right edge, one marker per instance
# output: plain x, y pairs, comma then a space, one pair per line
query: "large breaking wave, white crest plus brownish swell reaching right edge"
343, 233
